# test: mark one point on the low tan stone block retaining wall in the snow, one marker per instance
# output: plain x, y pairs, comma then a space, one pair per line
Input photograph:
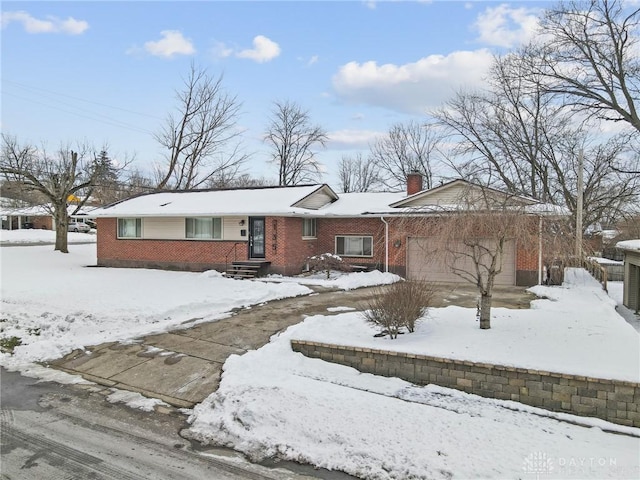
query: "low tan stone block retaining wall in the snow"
612, 400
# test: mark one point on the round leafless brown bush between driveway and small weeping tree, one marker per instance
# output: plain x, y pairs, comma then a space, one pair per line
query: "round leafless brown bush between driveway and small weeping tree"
399, 306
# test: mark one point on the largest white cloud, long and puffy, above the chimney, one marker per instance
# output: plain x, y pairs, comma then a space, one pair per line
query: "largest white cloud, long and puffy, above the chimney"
412, 87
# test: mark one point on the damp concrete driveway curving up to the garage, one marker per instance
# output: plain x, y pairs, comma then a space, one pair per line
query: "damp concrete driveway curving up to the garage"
183, 367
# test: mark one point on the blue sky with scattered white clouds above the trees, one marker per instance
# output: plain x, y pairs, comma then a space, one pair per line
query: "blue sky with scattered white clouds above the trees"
107, 71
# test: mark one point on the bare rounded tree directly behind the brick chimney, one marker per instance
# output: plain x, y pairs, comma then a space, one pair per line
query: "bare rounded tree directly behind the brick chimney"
406, 148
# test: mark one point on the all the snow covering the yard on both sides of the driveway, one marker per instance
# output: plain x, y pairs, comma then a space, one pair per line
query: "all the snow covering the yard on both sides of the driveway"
273, 401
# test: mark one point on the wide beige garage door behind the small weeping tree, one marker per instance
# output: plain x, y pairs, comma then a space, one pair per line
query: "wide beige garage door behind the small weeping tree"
425, 264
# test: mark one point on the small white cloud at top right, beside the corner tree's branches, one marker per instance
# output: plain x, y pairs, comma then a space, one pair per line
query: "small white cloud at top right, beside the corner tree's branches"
507, 27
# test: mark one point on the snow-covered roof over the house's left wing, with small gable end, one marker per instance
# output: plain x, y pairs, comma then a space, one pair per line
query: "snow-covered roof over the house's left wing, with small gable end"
284, 201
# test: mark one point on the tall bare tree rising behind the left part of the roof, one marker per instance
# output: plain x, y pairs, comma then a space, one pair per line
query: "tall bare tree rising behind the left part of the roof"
202, 136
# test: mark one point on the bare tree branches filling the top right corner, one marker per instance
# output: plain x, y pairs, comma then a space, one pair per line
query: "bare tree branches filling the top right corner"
590, 56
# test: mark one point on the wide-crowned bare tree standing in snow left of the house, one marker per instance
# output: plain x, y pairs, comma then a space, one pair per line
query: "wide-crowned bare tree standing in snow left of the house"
56, 177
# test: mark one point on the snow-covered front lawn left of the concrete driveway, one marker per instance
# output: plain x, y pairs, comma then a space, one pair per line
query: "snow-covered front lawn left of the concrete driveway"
58, 302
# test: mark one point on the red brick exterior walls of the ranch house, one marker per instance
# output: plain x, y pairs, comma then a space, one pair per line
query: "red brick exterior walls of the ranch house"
285, 247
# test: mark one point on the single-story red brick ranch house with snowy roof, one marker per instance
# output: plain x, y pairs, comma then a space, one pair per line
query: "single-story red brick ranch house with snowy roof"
280, 227
